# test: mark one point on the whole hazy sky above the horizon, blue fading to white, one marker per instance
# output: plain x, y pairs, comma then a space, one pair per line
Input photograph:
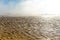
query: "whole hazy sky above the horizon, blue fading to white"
46, 8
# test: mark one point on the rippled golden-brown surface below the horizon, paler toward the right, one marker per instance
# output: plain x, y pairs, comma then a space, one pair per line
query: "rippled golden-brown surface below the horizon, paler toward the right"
29, 28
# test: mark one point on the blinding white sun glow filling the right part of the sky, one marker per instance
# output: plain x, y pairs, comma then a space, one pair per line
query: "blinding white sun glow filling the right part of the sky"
41, 7
